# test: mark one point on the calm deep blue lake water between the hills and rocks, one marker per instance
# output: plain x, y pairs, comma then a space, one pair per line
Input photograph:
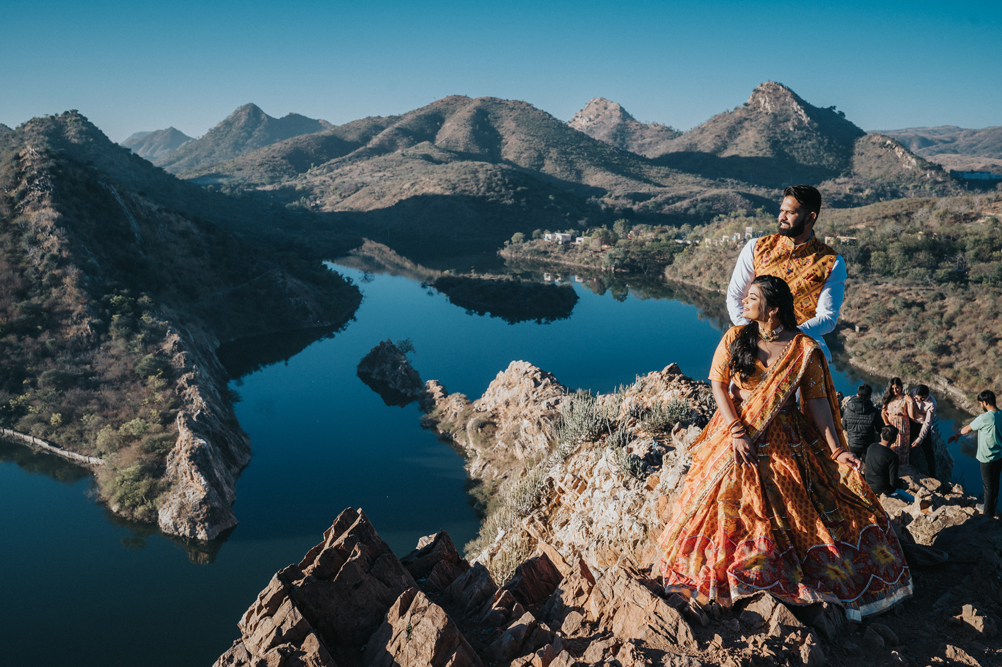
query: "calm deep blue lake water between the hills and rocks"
80, 587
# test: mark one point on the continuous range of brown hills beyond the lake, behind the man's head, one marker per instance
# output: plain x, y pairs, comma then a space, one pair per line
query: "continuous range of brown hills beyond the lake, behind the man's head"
483, 169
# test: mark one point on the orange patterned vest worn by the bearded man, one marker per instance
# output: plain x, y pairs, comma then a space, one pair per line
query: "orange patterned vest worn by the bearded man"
805, 269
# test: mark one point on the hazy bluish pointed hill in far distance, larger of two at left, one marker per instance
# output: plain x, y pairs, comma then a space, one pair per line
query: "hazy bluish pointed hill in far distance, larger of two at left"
246, 130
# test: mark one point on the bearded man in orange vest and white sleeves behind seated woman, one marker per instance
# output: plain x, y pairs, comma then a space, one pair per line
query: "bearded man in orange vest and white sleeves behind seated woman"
815, 273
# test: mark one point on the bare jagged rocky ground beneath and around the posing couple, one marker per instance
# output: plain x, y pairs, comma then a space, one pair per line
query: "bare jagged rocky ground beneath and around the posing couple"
562, 574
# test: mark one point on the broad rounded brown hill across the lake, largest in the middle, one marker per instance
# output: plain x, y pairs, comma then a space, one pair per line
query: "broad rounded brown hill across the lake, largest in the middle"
473, 170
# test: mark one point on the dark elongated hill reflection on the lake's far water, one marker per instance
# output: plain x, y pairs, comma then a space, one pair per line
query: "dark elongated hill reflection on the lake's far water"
514, 301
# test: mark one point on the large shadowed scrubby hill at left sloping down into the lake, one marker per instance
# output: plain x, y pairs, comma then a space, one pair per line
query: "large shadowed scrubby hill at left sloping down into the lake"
119, 281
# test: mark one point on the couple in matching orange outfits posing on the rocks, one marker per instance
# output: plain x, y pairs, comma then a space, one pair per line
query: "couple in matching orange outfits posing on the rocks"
775, 500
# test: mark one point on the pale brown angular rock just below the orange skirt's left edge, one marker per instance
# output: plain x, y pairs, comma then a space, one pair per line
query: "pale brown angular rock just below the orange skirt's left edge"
630, 610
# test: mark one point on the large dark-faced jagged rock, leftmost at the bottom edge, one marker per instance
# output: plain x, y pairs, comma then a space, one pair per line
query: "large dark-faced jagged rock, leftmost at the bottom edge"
326, 608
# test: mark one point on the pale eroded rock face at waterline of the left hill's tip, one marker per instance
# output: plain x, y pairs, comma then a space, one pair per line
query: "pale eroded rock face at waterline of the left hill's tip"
209, 455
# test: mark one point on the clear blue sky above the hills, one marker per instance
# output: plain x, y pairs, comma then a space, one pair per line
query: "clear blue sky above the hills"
133, 67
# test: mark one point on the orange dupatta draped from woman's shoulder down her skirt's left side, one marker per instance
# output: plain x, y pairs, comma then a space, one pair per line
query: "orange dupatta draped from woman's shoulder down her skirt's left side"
713, 456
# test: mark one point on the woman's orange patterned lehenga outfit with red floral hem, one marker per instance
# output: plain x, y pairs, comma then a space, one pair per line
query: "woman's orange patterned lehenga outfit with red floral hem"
799, 525
